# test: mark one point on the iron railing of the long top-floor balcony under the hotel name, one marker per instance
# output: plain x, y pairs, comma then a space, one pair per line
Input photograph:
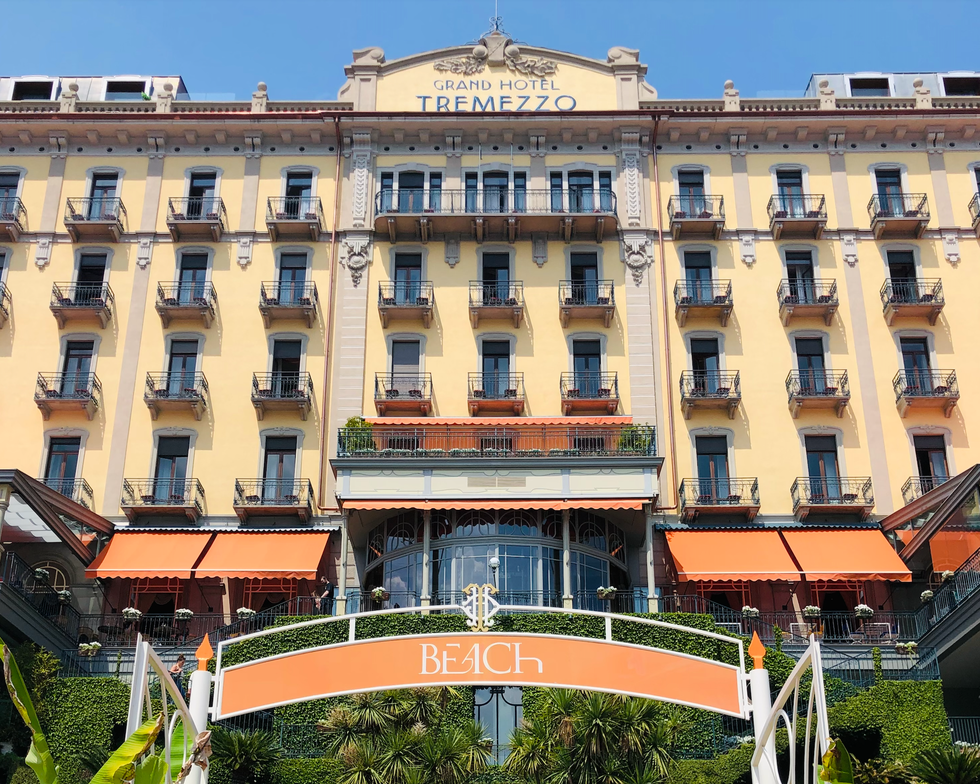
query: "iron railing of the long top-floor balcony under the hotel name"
495, 201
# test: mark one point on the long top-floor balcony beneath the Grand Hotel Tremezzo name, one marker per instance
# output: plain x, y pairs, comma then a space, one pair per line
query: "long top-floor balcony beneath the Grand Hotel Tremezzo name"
496, 214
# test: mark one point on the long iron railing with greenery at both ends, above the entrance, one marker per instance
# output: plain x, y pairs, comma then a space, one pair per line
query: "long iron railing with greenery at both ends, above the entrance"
481, 441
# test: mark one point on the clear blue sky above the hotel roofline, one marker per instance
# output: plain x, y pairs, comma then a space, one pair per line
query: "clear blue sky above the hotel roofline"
299, 47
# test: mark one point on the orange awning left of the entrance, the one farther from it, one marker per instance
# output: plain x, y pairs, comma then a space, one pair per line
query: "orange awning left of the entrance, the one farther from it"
148, 554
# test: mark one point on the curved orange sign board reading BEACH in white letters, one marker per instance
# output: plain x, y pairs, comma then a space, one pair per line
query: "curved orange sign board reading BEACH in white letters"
480, 659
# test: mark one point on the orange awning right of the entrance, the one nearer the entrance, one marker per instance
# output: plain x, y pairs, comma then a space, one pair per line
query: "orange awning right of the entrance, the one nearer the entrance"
731, 555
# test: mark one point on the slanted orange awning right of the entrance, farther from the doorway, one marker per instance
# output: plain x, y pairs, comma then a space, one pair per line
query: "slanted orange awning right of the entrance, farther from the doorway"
846, 555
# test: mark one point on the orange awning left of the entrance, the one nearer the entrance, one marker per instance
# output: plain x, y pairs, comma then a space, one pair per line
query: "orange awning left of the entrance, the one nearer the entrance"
294, 556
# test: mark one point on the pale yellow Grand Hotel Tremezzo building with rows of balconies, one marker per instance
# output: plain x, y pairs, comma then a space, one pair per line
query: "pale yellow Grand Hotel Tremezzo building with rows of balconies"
497, 313
